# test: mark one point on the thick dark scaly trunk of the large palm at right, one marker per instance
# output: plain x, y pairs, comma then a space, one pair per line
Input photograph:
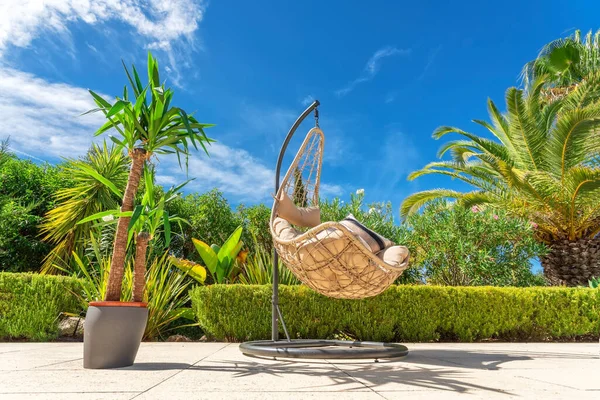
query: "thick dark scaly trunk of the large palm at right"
572, 263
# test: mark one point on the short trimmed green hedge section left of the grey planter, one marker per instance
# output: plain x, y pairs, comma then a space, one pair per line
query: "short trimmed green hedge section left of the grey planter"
30, 305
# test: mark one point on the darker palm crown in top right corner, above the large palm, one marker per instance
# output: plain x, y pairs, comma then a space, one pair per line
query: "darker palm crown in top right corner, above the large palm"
565, 62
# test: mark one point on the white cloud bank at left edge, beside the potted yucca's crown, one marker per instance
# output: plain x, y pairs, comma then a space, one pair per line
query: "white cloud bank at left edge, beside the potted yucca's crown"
43, 118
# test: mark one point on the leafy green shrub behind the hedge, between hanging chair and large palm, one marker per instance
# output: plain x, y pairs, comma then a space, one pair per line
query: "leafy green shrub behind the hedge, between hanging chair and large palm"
451, 245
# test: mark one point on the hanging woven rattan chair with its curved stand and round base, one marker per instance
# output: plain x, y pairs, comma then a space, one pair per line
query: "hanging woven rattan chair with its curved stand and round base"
328, 258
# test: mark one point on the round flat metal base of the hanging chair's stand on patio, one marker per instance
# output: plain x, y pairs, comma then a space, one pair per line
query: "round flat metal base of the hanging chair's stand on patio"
323, 349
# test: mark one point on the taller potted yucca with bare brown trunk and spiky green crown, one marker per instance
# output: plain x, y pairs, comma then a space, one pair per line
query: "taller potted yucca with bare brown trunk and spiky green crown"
144, 127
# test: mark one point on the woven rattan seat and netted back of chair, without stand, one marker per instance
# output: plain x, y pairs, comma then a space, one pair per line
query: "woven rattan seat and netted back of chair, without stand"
327, 258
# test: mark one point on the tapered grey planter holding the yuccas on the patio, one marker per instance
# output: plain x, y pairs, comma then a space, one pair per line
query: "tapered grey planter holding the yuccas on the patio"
112, 333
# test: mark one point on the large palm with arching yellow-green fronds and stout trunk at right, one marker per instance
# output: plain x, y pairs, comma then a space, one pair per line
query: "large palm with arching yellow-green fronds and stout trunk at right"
538, 167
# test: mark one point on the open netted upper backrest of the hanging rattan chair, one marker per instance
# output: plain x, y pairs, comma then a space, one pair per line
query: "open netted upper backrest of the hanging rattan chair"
301, 181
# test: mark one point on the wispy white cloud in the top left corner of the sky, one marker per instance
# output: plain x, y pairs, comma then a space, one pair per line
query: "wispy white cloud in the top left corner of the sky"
163, 24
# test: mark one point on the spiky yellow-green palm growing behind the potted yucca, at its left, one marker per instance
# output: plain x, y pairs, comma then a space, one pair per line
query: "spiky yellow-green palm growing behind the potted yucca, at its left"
98, 182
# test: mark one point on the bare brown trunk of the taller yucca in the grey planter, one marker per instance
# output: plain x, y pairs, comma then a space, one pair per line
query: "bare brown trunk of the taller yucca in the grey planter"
117, 266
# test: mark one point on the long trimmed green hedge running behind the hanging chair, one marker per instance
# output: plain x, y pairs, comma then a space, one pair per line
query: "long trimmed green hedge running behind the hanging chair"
402, 313
